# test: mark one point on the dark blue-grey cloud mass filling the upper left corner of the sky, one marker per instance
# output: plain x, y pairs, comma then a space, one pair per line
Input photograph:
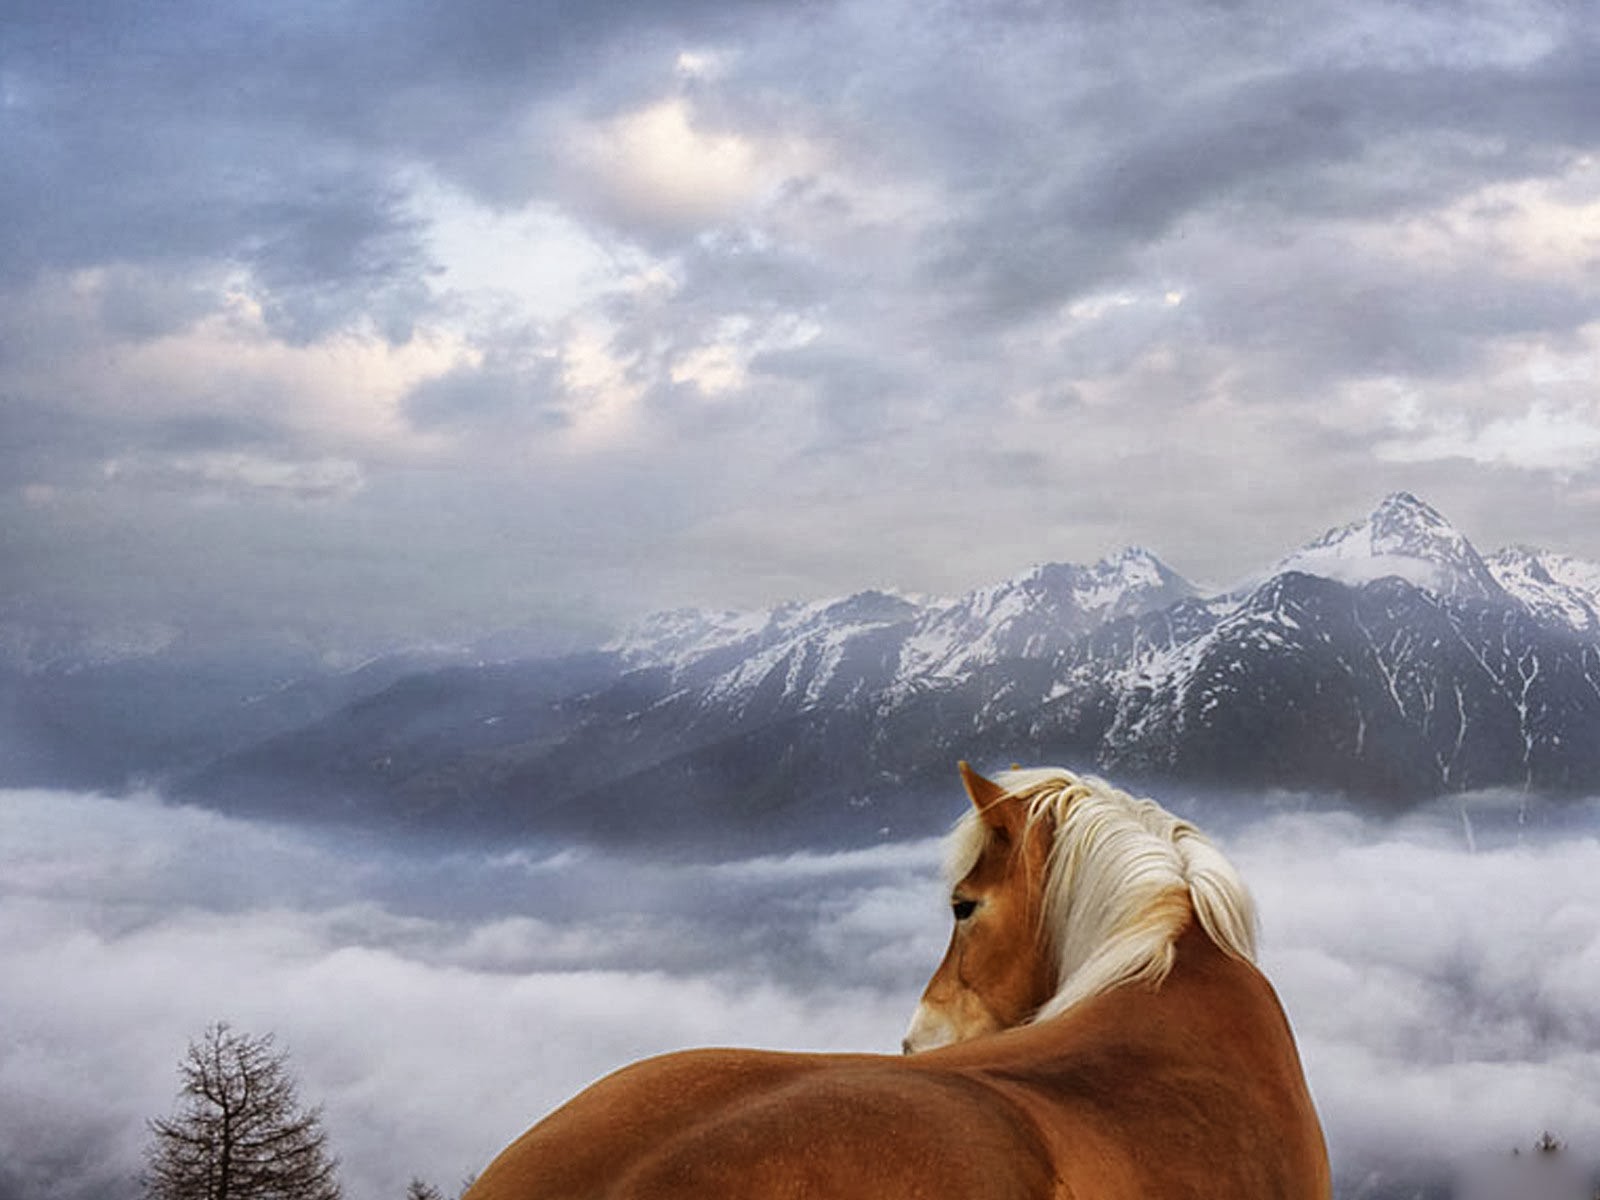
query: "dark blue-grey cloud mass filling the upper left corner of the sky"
270, 137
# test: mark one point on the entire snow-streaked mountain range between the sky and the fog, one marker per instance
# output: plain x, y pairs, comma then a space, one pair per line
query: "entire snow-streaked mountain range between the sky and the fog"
1386, 662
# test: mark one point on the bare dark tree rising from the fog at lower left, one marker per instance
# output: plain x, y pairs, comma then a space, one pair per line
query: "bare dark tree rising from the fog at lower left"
239, 1132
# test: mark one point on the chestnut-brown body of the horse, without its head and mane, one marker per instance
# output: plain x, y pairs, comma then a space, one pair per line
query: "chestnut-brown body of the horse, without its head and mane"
1193, 1089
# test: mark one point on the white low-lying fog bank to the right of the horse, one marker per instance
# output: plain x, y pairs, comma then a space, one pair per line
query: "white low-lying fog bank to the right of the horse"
1442, 998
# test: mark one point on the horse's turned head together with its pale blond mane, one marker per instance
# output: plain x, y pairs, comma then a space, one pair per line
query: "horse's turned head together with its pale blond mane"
1066, 887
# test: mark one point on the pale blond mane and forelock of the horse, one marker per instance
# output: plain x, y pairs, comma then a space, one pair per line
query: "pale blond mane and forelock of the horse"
1122, 881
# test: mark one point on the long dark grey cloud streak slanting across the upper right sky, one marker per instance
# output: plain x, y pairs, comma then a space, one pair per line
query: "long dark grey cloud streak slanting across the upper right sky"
1129, 166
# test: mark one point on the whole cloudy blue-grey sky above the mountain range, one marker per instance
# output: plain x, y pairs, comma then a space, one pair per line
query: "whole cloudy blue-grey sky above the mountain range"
412, 321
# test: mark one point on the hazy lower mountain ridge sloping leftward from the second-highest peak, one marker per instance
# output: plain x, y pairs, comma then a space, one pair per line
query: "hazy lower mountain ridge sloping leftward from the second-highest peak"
695, 721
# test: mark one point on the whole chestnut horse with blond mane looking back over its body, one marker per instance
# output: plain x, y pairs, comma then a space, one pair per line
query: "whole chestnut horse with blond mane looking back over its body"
1097, 1031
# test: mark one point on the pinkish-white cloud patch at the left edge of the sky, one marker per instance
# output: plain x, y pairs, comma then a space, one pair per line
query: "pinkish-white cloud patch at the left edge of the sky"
226, 370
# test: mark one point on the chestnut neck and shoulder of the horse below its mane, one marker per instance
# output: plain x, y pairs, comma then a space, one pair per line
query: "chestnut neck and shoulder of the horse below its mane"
1207, 1055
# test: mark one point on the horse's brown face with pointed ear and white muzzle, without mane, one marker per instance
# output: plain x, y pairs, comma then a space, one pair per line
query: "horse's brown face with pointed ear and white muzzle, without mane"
998, 970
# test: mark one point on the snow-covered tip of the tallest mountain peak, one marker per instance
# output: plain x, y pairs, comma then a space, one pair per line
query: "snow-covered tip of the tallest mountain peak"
1402, 538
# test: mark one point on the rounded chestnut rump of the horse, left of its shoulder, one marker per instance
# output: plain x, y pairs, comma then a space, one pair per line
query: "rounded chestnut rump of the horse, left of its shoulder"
750, 1124
